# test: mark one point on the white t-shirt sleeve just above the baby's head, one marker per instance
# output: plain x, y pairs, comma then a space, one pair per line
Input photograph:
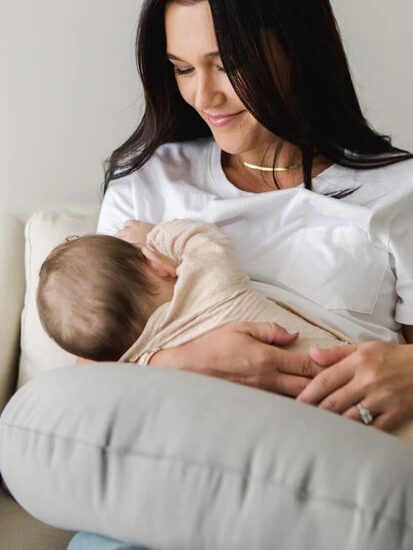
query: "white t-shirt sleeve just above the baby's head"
117, 207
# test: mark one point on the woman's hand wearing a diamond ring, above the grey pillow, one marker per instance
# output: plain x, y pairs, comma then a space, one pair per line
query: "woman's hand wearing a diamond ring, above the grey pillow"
377, 374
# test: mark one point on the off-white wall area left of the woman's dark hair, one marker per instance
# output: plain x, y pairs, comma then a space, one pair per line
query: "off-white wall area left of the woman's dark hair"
68, 96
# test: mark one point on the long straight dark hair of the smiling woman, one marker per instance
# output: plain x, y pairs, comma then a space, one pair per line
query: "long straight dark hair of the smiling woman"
318, 111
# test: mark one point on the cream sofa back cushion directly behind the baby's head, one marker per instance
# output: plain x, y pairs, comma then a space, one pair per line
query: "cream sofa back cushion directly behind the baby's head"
44, 231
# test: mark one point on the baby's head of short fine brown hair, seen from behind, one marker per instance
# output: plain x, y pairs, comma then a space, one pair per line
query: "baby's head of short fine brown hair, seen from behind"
94, 296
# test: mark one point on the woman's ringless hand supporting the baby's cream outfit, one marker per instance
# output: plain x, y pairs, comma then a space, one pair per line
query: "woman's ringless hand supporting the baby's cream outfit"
244, 353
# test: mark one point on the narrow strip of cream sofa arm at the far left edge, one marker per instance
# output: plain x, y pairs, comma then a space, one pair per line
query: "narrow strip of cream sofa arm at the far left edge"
11, 301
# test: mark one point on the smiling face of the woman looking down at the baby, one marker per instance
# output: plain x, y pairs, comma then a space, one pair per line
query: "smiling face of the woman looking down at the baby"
202, 82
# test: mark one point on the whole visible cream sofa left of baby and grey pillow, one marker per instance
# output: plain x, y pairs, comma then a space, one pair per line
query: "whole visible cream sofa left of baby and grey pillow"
25, 353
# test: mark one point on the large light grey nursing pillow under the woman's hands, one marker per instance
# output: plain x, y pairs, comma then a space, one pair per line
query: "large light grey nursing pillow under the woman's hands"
175, 460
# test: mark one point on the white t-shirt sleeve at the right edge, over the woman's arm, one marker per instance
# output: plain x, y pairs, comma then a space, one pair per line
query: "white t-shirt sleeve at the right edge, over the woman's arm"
401, 230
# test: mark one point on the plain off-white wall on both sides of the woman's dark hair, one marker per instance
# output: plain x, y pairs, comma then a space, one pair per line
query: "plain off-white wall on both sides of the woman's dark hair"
69, 92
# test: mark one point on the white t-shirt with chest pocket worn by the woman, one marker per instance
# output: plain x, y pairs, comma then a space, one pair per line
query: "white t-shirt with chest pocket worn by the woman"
347, 262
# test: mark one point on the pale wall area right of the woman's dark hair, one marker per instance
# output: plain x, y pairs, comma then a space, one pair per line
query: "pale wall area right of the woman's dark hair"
378, 39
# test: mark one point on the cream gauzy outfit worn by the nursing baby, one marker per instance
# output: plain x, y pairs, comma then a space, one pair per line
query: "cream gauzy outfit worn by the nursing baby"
212, 291
